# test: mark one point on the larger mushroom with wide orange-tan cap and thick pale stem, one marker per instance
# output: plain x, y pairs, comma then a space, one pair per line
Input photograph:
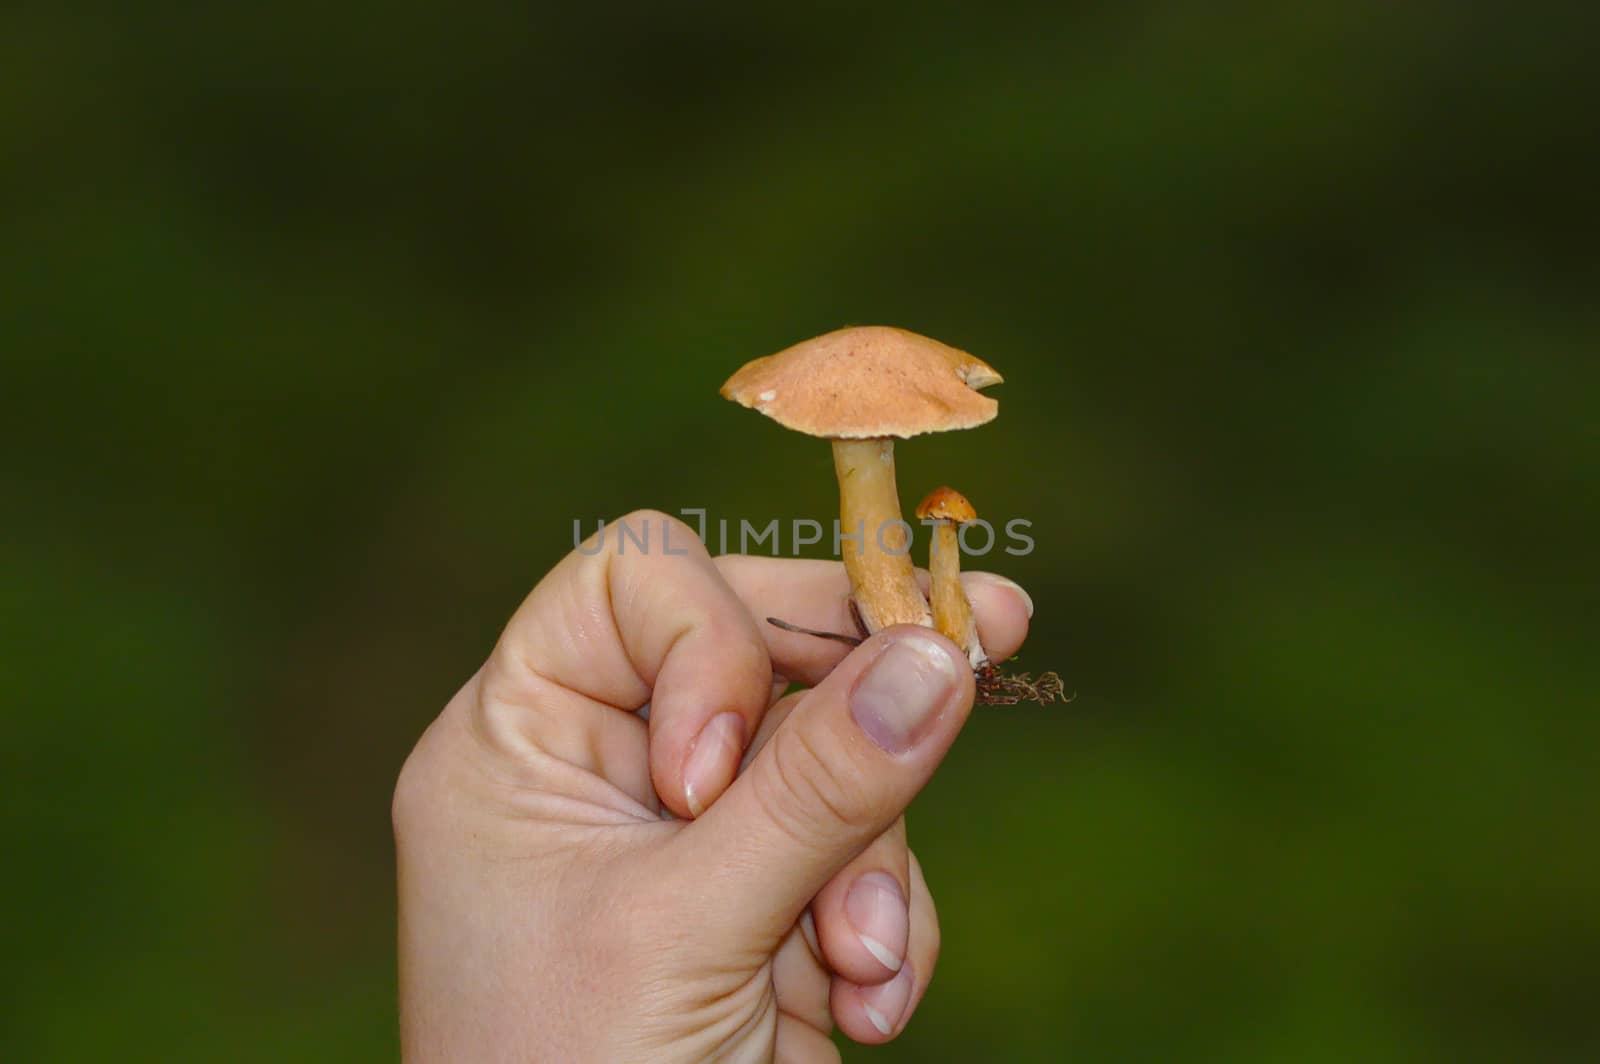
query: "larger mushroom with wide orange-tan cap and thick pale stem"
863, 388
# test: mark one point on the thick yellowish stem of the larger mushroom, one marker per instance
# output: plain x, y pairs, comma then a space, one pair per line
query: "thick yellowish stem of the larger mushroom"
874, 538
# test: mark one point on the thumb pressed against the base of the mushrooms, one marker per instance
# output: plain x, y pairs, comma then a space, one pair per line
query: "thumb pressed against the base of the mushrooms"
833, 778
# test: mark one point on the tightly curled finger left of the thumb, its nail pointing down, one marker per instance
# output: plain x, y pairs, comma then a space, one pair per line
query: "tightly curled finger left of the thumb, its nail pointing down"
636, 614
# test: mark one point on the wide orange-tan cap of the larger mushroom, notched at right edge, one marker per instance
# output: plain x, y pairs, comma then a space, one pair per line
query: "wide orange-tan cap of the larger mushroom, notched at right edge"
868, 382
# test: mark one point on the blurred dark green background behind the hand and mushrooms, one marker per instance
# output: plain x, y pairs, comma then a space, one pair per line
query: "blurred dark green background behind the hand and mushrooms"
322, 322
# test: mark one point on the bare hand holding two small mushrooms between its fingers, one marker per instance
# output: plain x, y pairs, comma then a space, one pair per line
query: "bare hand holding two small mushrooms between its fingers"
550, 910
